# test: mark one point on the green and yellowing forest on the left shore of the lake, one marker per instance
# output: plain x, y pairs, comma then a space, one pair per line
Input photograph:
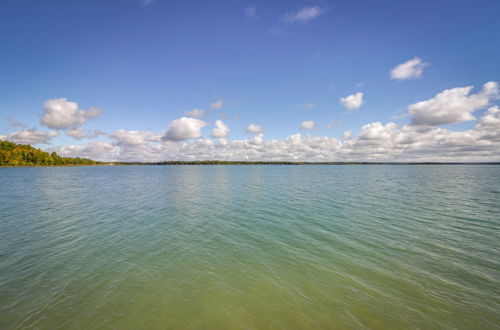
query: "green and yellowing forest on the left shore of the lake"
13, 154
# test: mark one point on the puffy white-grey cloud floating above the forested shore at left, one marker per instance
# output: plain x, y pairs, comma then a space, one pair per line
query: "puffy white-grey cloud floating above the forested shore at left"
63, 114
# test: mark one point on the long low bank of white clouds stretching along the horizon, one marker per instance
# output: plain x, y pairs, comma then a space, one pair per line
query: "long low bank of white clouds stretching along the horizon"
376, 142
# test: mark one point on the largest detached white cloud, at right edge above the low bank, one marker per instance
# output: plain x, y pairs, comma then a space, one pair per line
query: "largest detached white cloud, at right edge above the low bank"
452, 105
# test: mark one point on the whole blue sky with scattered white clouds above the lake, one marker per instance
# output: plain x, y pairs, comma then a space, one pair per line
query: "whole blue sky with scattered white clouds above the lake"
154, 80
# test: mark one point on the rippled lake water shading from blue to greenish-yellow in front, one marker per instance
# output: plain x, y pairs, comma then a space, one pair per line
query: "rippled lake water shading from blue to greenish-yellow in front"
250, 247
